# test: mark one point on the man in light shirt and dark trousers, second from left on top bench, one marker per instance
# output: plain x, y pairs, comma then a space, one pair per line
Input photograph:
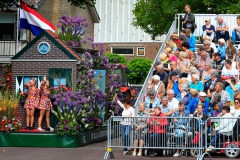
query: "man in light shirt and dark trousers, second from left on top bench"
222, 29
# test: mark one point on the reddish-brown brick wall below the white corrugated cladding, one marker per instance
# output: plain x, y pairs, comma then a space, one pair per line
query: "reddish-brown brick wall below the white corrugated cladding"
151, 49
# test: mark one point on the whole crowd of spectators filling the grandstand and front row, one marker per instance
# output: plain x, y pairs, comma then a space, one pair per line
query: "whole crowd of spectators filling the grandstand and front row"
190, 81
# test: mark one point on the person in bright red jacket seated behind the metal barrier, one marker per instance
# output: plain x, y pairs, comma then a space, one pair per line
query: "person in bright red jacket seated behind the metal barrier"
157, 129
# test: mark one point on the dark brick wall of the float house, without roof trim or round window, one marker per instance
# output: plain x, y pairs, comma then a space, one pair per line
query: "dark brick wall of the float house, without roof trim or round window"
39, 68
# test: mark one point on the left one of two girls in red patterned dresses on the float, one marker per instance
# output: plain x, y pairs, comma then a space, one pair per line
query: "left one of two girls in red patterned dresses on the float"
31, 102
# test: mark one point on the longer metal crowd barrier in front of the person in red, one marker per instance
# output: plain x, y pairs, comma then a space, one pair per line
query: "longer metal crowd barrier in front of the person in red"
163, 135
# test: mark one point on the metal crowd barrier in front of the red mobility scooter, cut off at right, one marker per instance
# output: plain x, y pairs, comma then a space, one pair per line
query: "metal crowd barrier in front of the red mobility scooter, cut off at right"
227, 130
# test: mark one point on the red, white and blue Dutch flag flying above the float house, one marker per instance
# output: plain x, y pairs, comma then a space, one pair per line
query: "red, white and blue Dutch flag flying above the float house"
33, 21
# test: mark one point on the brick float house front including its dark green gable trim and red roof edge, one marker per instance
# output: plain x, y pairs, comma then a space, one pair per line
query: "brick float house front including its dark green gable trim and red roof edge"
30, 63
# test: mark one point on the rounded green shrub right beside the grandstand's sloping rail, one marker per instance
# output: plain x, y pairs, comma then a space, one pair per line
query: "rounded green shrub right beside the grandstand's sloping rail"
138, 70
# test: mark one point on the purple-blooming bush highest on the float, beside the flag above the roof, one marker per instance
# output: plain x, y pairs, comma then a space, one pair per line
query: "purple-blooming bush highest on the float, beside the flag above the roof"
72, 29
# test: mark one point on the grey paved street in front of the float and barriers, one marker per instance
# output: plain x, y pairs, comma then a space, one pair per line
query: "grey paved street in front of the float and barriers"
94, 151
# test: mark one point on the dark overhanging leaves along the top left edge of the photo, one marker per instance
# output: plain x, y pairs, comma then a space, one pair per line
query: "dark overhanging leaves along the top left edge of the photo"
6, 4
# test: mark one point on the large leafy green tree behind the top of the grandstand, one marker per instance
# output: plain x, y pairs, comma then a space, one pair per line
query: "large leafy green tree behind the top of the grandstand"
155, 16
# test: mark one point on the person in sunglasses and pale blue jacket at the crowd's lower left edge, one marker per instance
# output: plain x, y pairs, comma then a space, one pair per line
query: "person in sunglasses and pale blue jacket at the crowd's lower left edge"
151, 101
